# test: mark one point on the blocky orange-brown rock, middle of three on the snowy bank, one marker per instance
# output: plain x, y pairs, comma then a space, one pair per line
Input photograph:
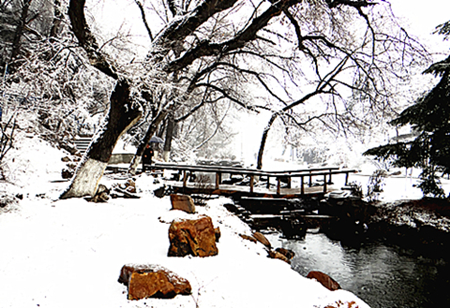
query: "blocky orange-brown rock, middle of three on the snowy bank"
192, 237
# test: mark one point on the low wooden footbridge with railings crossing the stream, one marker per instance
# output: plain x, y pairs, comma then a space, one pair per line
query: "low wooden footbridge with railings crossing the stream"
324, 174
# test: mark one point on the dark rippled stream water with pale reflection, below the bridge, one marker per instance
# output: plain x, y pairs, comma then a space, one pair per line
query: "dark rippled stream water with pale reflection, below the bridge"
383, 276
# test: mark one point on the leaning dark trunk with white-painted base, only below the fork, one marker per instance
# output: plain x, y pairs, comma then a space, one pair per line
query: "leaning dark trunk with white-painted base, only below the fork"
122, 115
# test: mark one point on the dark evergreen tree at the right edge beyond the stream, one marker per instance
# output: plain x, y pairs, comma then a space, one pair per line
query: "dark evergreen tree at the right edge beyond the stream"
430, 117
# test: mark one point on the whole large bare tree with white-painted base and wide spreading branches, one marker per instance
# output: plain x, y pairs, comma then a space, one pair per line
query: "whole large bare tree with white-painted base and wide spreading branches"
207, 46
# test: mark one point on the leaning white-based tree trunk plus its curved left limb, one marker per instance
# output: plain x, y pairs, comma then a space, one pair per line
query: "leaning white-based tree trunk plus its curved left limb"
123, 113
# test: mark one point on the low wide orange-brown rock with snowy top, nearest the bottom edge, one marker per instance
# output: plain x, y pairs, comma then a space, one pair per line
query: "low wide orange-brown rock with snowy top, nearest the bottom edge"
144, 281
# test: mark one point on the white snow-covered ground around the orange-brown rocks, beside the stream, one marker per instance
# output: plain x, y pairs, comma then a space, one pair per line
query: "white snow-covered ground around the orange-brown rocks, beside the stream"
69, 253
